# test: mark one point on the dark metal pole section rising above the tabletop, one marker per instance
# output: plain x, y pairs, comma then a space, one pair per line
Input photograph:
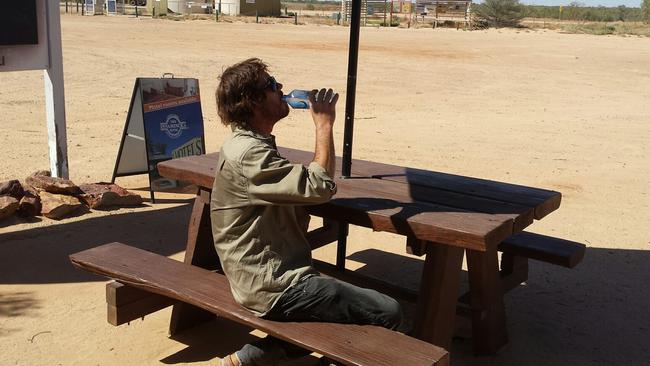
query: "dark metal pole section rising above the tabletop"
353, 58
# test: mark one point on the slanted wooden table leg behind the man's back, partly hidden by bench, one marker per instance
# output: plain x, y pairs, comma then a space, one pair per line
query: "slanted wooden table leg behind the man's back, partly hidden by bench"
199, 252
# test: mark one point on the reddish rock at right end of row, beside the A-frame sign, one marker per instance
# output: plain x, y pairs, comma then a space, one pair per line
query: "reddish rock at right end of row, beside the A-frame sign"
100, 195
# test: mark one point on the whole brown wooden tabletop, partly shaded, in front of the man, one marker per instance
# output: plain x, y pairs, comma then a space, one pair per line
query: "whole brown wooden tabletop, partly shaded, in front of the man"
449, 209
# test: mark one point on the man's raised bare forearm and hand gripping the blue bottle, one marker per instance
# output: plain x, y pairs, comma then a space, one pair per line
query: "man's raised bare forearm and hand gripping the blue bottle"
323, 112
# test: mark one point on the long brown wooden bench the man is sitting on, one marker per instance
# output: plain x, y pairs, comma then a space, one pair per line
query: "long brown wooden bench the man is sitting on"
146, 272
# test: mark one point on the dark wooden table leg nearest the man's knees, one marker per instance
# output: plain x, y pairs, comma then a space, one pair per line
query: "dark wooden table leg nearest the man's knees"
436, 308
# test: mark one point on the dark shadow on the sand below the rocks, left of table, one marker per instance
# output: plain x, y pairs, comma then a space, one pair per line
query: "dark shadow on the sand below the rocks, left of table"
40, 255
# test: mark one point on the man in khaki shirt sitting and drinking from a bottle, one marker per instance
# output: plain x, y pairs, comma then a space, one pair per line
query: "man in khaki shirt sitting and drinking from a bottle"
259, 225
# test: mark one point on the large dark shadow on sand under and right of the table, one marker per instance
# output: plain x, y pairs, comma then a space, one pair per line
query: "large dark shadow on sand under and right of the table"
594, 314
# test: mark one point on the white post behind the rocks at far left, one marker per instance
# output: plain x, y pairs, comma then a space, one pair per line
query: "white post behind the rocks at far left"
54, 94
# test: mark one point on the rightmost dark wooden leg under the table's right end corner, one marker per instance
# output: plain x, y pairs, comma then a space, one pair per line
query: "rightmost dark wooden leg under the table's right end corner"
486, 298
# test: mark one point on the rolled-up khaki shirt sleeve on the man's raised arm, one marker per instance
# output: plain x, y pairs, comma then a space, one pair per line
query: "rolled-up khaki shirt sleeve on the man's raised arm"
273, 179
